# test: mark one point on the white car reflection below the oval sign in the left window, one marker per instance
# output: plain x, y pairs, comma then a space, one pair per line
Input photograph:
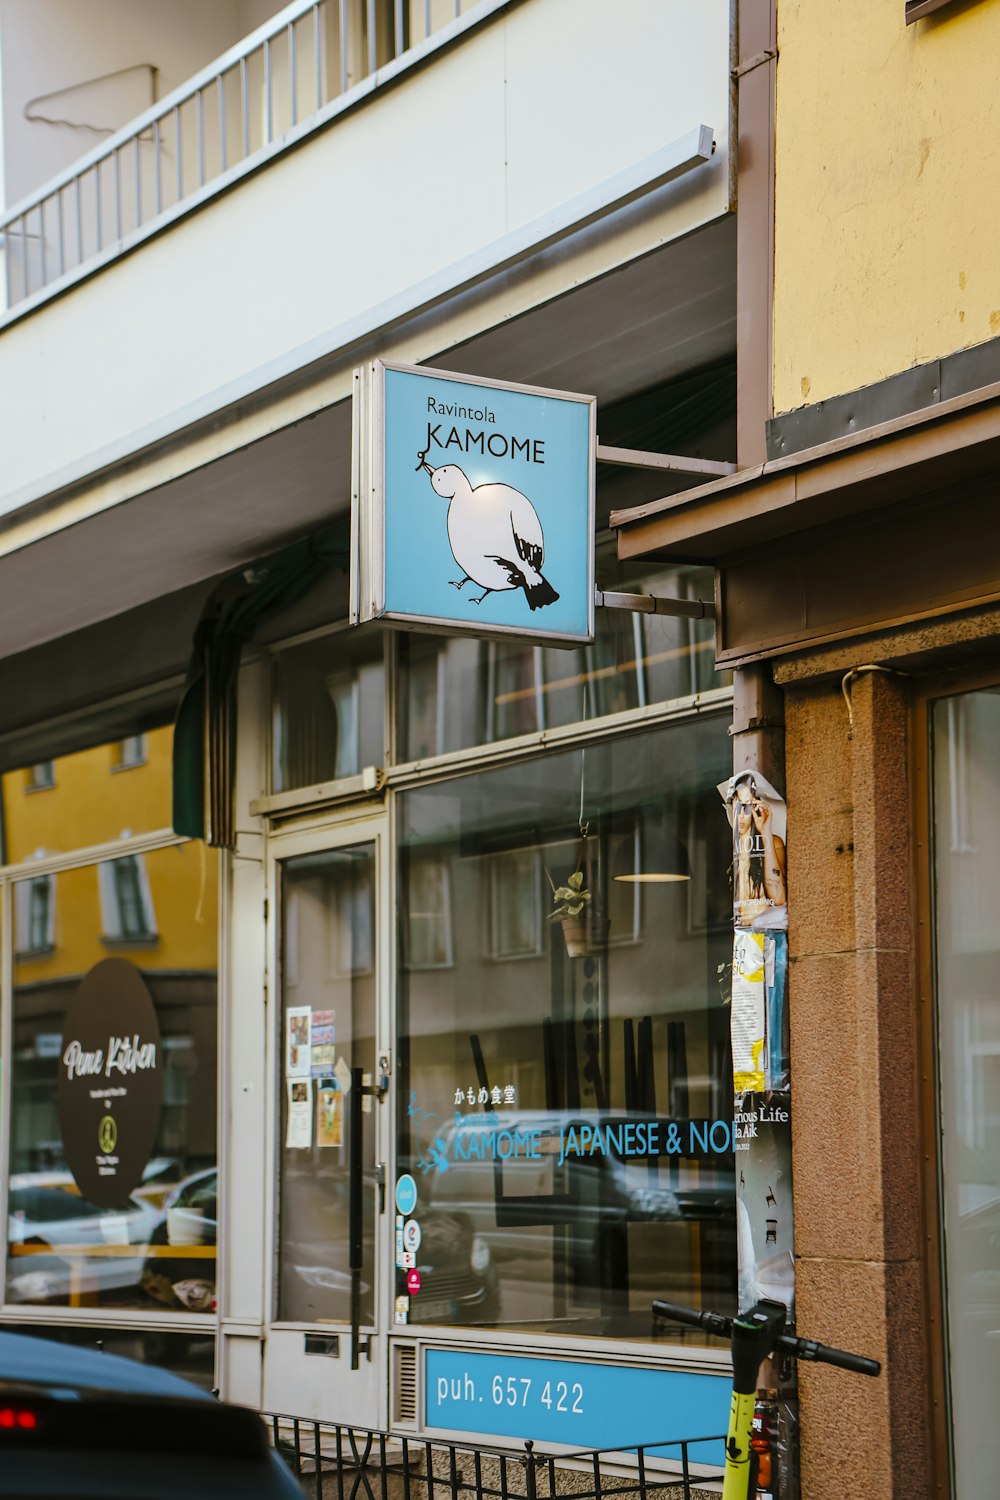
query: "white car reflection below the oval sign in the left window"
52, 1229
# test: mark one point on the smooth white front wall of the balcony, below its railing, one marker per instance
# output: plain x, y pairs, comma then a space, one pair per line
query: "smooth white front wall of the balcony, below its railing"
525, 113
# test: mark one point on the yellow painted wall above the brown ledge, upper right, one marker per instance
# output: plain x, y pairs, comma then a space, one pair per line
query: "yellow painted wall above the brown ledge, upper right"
887, 191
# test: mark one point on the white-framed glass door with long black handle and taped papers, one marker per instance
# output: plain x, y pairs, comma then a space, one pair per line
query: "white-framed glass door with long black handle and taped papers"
325, 1354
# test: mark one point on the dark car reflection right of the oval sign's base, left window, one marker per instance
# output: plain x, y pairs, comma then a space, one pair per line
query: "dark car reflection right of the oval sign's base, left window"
190, 1220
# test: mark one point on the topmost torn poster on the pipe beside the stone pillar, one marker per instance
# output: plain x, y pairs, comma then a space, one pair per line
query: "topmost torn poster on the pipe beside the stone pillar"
758, 817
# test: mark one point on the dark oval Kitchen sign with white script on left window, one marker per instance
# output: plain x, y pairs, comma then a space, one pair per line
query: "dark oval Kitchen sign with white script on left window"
110, 1082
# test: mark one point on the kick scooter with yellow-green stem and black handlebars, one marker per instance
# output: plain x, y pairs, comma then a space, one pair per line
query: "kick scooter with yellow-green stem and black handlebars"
755, 1336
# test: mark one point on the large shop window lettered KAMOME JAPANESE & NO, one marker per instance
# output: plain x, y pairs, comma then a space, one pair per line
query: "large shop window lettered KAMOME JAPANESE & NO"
566, 1087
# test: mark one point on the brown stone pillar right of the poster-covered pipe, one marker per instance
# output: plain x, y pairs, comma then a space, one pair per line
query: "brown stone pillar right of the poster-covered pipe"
857, 1151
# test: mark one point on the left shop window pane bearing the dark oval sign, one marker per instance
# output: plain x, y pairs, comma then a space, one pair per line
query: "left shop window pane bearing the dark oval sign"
151, 1243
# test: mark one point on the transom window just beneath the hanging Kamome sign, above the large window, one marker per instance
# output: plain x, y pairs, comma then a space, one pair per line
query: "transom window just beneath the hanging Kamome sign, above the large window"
457, 694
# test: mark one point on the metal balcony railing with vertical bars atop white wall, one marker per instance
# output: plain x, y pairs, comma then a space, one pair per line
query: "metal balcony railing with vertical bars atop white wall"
313, 61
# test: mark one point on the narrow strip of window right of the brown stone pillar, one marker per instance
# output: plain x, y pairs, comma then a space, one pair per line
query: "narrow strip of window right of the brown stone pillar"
968, 953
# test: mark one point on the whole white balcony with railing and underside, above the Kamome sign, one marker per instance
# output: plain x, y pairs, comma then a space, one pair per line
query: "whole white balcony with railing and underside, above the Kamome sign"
214, 271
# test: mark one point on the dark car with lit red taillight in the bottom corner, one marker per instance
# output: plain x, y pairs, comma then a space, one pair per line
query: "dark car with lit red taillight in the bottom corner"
82, 1424
